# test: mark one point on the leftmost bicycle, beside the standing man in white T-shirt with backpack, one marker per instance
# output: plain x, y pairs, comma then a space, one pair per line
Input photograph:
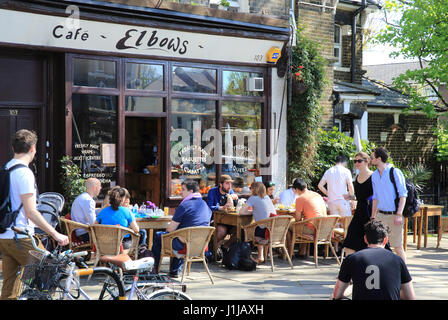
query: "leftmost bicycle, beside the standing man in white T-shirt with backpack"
55, 277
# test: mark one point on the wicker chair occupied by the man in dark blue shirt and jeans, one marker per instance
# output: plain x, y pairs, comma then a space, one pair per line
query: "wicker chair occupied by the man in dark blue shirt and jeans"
196, 240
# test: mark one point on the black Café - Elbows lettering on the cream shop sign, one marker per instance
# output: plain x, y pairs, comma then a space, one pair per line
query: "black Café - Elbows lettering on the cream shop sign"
132, 39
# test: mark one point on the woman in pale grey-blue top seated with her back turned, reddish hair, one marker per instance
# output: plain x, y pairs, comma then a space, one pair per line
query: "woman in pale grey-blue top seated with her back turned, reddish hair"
262, 208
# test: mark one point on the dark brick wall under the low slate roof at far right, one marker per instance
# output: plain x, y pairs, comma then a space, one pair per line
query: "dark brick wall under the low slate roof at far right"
418, 150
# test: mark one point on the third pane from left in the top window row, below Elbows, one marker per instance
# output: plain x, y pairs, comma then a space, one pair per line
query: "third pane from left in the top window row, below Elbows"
194, 80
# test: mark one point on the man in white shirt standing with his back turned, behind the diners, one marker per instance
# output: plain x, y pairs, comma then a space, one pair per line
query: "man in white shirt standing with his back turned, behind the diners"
338, 179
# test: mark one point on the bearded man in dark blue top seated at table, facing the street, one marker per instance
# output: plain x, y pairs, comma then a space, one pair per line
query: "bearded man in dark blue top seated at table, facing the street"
220, 198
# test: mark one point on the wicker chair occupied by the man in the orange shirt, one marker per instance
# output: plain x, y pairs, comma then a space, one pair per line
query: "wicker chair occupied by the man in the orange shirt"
323, 234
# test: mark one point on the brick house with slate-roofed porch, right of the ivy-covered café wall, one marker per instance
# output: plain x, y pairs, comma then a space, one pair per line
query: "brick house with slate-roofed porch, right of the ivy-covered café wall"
352, 99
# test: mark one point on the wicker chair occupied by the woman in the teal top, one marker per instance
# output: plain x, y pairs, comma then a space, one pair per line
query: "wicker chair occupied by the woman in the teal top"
107, 240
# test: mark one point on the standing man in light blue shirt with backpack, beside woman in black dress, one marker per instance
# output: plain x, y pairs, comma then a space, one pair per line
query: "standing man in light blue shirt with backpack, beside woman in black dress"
383, 206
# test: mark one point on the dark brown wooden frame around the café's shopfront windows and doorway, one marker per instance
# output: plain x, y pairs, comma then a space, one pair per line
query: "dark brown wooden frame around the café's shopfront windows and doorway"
167, 94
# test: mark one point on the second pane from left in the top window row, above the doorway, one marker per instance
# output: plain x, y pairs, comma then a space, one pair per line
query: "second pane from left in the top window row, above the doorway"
144, 76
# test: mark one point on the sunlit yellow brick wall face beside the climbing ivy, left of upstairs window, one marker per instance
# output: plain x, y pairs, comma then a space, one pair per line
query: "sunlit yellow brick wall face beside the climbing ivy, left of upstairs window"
319, 27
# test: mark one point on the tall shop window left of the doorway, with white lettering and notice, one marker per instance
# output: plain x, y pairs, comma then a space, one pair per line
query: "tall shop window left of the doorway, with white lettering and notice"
94, 137
